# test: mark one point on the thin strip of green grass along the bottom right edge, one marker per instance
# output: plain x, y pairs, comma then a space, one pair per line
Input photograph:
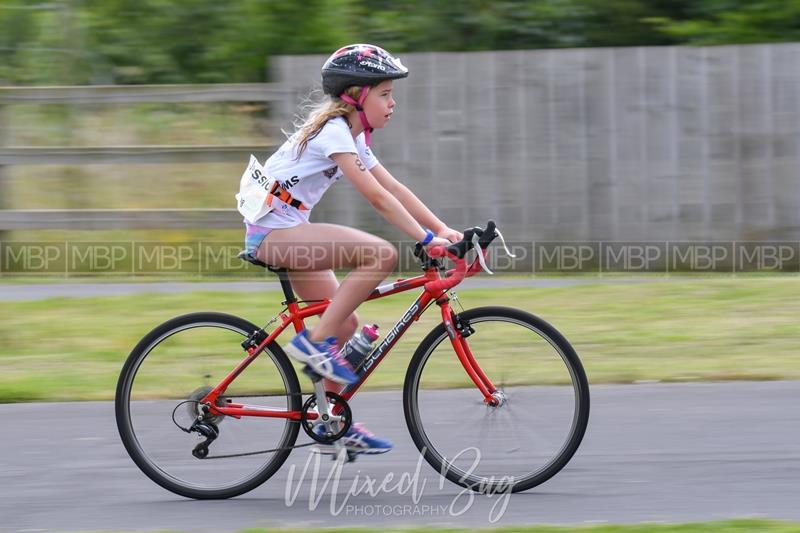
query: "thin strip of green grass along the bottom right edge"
728, 526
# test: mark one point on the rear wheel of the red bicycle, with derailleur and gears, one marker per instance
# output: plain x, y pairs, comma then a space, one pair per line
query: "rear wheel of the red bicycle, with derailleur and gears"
173, 367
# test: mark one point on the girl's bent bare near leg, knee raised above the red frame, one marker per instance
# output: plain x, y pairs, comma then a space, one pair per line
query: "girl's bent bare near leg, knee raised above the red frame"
313, 247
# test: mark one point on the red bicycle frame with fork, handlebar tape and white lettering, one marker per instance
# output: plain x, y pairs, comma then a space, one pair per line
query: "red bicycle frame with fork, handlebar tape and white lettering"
295, 314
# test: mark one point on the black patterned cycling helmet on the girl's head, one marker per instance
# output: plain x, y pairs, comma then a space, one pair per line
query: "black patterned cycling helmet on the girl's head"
359, 64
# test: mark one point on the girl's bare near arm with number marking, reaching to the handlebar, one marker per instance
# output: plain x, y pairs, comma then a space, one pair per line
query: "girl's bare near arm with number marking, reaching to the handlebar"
382, 200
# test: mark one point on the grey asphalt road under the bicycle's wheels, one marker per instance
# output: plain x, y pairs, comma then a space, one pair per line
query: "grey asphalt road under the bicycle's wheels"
653, 452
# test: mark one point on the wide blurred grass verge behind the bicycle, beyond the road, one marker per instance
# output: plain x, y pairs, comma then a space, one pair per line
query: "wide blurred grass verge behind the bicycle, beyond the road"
715, 329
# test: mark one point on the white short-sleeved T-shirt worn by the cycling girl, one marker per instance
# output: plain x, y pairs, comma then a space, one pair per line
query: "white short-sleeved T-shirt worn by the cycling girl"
308, 177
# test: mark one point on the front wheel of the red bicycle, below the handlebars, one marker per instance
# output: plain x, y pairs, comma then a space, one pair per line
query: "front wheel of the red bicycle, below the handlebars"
541, 411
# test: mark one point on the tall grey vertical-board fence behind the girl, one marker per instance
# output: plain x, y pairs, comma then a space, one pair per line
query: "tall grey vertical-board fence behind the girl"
661, 143
